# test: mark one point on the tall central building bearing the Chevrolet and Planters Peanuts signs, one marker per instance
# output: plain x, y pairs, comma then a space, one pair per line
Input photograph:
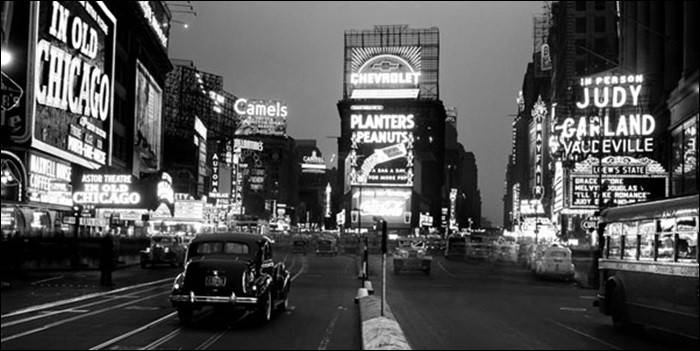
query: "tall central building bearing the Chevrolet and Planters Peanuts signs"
391, 148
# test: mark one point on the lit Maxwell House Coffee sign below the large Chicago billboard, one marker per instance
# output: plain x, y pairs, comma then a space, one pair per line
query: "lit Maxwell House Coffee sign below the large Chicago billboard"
49, 181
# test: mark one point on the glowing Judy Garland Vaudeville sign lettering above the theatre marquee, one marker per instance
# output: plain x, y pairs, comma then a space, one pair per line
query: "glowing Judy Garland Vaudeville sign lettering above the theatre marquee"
612, 124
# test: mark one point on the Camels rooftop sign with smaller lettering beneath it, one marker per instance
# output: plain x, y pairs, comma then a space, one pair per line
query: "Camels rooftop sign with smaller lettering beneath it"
261, 117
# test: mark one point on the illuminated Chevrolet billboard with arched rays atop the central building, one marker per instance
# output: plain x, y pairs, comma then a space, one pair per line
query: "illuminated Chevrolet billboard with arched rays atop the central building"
385, 72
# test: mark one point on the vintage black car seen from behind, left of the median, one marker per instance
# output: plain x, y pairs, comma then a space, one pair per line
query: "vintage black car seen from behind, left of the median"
231, 271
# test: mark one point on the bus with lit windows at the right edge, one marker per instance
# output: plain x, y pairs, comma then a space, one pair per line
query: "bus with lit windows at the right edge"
649, 265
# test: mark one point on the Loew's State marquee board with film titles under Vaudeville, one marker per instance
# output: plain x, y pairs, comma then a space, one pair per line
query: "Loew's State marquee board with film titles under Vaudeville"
625, 180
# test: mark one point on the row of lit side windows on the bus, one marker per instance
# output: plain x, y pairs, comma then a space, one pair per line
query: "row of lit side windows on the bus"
665, 239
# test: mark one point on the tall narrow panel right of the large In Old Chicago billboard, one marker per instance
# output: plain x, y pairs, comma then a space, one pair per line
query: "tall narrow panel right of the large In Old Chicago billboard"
147, 131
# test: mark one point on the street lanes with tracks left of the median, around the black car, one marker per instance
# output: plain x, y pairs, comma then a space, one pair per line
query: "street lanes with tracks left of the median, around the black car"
143, 318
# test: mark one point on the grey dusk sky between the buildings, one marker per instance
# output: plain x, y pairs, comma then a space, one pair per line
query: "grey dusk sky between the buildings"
294, 51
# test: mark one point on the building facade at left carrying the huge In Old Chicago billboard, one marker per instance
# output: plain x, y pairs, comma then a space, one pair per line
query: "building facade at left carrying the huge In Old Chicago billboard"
52, 132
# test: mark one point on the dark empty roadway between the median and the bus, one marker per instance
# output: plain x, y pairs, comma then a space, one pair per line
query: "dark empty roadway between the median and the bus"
481, 305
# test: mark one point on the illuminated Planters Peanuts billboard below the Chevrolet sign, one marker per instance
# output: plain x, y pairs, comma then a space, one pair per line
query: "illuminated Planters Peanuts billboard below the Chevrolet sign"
381, 148
